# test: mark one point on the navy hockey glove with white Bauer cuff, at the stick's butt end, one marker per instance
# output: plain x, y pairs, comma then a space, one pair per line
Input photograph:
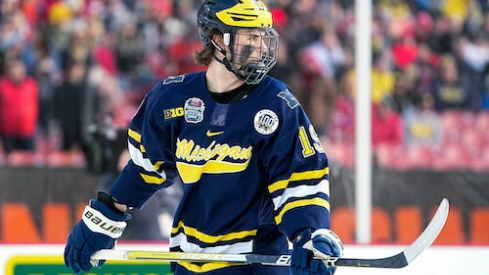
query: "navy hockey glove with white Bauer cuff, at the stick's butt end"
100, 226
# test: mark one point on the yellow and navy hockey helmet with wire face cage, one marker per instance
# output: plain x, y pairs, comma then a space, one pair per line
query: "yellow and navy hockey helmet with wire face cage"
227, 17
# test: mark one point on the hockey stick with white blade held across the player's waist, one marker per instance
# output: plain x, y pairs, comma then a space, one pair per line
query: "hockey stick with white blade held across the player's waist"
396, 261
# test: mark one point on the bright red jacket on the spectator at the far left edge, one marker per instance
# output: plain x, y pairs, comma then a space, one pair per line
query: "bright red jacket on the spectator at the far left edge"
18, 107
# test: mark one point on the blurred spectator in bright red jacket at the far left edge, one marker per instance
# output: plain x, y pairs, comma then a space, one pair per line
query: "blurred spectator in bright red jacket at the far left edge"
18, 108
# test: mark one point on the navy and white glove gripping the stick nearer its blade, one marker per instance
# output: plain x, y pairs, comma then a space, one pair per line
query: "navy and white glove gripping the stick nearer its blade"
310, 249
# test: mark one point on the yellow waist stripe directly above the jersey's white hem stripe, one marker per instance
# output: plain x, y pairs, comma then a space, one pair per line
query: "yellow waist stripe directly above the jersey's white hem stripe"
206, 238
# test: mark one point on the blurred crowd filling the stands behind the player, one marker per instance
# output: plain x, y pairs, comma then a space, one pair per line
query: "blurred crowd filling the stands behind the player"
74, 71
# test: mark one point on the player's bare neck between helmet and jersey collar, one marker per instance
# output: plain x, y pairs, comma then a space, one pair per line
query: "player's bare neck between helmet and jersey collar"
220, 80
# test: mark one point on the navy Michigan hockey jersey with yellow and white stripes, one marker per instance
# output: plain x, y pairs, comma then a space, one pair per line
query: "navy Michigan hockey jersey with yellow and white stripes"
253, 172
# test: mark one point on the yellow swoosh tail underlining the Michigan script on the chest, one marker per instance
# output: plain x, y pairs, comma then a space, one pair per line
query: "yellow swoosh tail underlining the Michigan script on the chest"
191, 173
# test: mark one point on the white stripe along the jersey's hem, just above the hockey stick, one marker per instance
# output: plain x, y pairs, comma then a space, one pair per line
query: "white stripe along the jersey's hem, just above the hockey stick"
185, 245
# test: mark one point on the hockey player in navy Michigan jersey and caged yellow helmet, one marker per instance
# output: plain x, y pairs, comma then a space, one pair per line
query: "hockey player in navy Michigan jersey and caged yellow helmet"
253, 171
